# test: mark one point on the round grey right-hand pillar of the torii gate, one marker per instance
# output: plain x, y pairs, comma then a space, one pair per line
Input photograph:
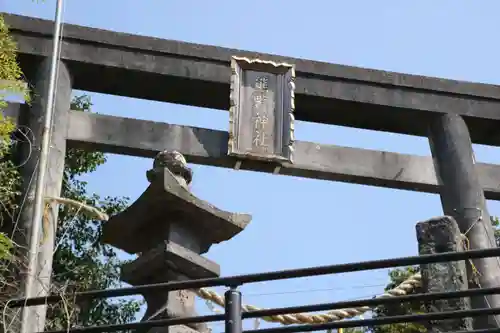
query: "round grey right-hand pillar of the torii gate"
462, 197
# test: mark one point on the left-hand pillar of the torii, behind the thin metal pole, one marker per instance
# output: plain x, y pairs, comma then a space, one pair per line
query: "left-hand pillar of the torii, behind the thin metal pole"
33, 118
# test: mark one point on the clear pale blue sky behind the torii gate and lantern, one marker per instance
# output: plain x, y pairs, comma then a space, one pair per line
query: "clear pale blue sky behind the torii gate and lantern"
302, 222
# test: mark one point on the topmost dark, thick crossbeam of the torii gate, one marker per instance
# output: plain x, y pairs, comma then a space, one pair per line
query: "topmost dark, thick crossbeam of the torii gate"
199, 75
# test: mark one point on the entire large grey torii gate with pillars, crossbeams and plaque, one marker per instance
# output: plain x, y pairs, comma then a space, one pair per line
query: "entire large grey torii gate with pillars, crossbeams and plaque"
451, 114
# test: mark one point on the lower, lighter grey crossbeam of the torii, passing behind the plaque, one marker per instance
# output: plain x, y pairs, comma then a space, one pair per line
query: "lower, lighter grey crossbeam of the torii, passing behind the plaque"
145, 138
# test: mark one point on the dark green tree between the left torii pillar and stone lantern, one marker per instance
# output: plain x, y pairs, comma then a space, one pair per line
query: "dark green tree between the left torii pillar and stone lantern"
80, 261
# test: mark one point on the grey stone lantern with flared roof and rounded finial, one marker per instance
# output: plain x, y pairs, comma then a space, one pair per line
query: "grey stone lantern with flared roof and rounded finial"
170, 228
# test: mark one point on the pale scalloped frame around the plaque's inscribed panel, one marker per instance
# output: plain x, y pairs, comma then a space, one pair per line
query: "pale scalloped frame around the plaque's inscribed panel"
286, 131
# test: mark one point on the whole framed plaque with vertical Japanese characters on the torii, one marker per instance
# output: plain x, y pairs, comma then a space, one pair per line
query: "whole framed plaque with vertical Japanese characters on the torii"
261, 113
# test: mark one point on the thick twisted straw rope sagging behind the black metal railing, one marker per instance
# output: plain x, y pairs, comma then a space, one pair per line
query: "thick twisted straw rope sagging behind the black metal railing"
405, 288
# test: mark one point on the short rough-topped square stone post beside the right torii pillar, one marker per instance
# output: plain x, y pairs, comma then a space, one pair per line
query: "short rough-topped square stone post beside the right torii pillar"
440, 235
